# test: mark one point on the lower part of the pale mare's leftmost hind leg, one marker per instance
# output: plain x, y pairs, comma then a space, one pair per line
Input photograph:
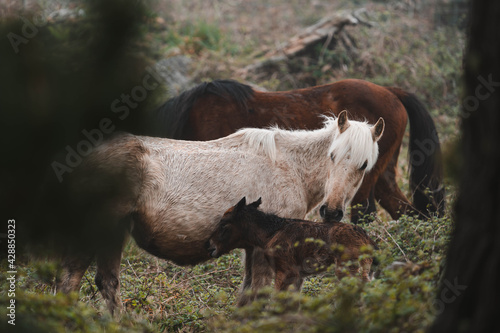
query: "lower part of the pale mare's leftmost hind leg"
73, 268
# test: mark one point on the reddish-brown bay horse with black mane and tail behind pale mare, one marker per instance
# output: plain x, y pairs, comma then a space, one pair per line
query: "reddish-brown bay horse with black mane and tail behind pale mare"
215, 109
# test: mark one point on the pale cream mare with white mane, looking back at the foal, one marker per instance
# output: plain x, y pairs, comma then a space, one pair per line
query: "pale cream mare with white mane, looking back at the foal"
175, 192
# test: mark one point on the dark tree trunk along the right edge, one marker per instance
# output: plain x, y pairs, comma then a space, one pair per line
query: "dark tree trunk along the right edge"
469, 296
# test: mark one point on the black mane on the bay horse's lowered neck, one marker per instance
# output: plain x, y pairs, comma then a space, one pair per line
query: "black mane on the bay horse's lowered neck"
170, 119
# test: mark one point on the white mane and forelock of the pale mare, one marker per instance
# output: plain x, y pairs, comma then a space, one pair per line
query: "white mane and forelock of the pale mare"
355, 143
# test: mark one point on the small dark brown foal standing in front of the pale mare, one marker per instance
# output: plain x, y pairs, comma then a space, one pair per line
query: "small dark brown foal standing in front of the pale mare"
294, 248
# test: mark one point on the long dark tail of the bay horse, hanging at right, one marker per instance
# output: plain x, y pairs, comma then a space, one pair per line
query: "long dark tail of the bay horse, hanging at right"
426, 169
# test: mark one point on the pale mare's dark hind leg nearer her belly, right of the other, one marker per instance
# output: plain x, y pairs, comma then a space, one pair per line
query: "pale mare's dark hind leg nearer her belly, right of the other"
107, 277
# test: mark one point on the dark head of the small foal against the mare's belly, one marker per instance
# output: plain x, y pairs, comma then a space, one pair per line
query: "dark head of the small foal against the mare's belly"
231, 230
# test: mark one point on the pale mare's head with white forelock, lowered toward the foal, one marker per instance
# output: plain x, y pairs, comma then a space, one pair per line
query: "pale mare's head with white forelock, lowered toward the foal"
353, 152
